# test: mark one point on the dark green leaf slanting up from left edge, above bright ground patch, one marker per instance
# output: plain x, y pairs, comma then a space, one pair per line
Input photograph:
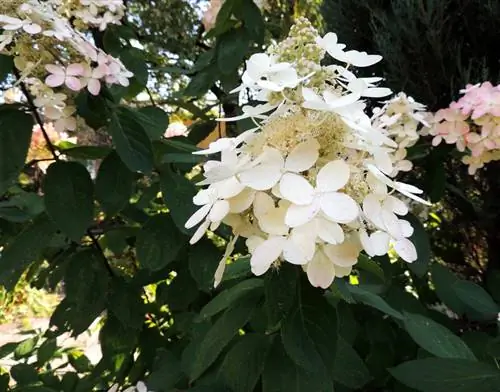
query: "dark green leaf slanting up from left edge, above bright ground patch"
24, 249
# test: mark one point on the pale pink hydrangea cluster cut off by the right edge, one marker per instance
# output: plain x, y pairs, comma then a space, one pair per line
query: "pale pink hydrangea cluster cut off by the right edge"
472, 123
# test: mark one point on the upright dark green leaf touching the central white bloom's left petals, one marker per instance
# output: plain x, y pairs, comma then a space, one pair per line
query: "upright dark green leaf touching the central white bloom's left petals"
178, 193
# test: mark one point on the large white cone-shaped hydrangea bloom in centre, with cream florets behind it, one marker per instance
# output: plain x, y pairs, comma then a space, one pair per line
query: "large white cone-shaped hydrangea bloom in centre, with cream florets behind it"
313, 183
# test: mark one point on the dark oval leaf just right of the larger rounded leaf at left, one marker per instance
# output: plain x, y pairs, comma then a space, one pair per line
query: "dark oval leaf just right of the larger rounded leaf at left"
114, 184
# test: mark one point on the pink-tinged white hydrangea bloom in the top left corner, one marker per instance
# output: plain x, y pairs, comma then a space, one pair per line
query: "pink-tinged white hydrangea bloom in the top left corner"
54, 57
